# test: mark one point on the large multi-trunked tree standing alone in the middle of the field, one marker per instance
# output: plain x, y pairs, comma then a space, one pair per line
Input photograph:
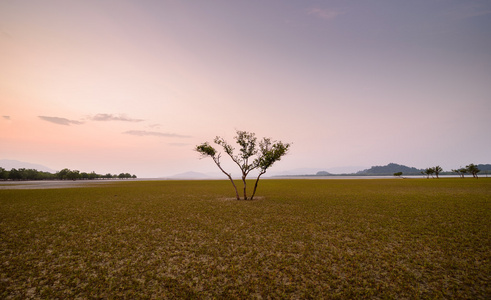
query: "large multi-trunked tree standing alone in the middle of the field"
252, 155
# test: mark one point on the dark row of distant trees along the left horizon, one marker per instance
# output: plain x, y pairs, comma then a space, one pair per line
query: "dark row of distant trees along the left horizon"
65, 174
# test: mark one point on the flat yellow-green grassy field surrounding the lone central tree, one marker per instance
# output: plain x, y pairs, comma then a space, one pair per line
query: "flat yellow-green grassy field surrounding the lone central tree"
300, 239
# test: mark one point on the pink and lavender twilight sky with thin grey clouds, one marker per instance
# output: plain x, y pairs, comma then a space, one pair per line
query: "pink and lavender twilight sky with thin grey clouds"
132, 86
